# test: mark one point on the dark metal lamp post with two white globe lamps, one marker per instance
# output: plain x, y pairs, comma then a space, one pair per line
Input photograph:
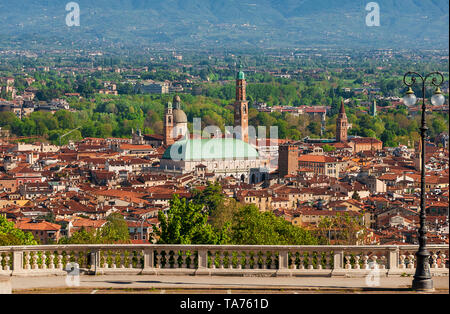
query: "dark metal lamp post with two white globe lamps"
422, 278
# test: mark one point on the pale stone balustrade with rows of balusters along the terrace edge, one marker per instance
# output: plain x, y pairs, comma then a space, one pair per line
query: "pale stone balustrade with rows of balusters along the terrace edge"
350, 261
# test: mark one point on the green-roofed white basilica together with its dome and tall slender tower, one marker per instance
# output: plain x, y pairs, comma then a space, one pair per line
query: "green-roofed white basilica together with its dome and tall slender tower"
222, 157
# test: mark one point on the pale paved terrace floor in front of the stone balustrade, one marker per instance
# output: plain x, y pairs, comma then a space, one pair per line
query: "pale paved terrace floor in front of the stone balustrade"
217, 284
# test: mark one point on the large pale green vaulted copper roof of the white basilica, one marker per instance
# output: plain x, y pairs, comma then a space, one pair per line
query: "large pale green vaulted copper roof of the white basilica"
210, 149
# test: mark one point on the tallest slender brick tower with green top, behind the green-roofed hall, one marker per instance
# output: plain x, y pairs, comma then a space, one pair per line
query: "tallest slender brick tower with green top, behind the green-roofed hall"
241, 107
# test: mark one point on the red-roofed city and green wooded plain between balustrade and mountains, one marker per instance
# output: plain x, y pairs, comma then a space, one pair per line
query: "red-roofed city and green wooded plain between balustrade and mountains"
81, 144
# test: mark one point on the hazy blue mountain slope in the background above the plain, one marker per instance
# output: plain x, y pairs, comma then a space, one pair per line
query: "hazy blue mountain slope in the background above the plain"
226, 23
